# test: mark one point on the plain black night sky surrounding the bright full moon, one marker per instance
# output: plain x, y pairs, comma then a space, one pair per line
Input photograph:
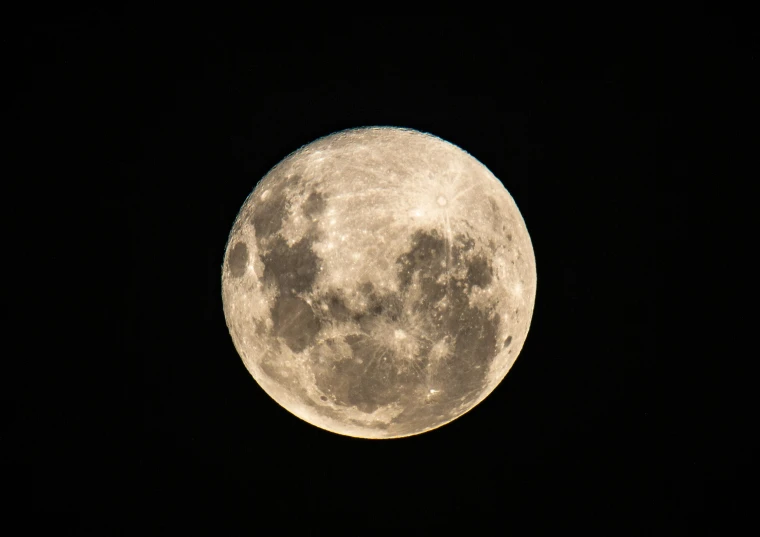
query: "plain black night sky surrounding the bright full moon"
136, 139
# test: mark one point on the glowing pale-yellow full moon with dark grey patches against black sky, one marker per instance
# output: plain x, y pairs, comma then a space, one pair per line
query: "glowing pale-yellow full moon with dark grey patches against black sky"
379, 282
